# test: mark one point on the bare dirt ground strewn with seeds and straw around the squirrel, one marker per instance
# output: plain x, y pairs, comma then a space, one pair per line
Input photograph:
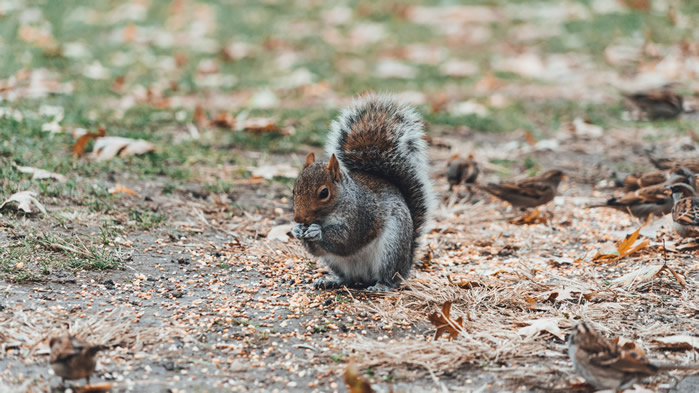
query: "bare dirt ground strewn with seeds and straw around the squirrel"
211, 304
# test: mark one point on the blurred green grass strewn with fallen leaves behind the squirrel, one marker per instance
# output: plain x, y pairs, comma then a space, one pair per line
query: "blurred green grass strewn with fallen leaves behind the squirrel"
206, 77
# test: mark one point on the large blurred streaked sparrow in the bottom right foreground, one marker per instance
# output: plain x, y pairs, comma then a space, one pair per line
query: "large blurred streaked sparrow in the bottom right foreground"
605, 364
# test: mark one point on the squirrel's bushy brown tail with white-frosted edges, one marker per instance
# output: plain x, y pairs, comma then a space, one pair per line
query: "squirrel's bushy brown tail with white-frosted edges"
382, 137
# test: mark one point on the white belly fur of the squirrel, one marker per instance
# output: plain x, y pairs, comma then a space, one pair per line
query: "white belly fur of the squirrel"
365, 265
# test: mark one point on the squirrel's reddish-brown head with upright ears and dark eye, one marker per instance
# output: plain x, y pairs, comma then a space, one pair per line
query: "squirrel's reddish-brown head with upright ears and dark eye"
316, 189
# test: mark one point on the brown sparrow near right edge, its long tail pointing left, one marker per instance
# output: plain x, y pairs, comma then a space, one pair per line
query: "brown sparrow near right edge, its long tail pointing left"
655, 200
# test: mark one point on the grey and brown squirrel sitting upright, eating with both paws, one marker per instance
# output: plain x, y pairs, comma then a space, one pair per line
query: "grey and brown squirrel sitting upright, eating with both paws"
363, 211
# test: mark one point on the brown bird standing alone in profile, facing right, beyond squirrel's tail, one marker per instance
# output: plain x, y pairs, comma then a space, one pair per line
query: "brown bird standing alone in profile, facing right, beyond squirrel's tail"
531, 192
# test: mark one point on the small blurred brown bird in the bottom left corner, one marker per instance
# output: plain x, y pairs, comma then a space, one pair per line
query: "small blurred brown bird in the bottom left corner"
72, 358
